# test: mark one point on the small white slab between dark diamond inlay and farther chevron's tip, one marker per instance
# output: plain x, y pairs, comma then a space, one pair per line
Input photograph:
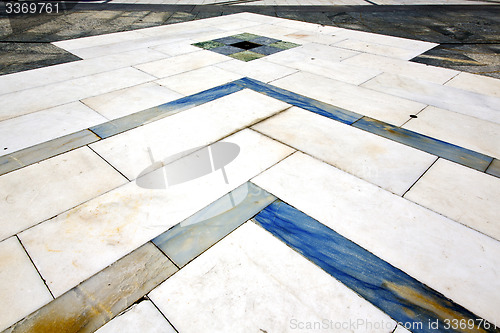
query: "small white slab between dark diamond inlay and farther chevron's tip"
257, 69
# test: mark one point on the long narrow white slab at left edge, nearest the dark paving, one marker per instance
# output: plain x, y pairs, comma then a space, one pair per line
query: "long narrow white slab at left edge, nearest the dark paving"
75, 69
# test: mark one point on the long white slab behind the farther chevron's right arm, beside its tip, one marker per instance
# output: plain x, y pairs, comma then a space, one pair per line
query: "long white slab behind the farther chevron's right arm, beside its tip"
392, 109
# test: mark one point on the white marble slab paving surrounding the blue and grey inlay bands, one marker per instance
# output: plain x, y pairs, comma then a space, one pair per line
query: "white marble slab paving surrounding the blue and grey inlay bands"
68, 217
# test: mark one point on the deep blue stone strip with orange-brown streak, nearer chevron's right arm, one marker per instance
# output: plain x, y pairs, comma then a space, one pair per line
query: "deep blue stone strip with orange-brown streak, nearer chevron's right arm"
393, 291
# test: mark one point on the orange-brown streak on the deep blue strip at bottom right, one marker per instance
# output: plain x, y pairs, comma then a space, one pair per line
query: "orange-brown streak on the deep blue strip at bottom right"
430, 304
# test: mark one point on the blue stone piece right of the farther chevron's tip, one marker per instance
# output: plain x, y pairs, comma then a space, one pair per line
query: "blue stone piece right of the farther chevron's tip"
300, 101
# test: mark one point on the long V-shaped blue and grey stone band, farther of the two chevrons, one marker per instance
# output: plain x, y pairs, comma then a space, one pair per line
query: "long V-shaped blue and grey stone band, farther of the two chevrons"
433, 146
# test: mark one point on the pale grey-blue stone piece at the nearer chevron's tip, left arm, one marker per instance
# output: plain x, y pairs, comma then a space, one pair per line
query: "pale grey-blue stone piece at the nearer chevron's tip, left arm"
193, 236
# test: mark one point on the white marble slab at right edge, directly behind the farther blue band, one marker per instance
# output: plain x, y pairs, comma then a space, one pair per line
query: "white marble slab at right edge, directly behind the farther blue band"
462, 130
